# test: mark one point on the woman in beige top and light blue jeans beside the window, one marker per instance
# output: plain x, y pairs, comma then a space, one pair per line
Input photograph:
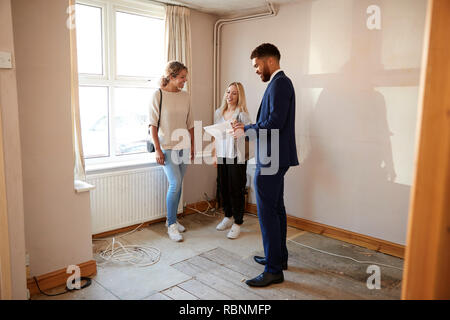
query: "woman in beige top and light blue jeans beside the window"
176, 113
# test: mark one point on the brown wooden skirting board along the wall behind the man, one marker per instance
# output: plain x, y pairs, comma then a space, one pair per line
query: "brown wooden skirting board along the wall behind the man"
383, 246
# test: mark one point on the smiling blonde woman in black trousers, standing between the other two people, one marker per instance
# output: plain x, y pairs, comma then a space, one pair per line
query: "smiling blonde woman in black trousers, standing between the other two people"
231, 168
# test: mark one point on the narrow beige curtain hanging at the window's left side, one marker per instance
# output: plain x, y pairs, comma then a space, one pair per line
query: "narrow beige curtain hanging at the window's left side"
79, 168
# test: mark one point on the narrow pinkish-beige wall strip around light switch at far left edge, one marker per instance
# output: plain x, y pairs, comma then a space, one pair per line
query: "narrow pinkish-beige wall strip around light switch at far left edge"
12, 156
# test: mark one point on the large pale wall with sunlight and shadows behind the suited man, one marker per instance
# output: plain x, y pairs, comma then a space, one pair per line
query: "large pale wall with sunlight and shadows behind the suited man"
356, 99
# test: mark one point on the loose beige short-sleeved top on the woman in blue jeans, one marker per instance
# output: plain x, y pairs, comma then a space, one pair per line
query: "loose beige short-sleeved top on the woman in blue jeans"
176, 113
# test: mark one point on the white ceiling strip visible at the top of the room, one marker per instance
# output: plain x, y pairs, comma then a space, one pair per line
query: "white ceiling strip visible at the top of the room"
225, 8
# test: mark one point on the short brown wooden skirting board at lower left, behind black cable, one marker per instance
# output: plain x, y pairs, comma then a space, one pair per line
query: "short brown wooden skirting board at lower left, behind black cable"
58, 278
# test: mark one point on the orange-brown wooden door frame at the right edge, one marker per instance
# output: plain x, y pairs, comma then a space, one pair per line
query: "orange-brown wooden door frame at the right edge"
427, 256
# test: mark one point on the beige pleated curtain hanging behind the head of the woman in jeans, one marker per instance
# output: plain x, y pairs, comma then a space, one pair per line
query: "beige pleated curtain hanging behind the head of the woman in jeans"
178, 37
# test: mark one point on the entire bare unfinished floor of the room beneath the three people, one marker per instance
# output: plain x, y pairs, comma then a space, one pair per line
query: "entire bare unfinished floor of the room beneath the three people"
207, 265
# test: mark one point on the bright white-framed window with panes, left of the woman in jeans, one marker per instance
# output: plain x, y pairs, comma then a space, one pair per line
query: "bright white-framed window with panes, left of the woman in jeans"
120, 60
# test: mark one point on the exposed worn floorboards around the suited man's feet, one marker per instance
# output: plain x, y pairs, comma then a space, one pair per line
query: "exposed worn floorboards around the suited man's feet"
219, 274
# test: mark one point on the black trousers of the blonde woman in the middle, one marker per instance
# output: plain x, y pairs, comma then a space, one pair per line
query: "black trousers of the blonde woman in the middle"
231, 181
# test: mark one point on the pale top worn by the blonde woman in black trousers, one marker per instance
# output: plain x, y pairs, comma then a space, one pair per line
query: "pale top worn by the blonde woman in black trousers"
227, 147
